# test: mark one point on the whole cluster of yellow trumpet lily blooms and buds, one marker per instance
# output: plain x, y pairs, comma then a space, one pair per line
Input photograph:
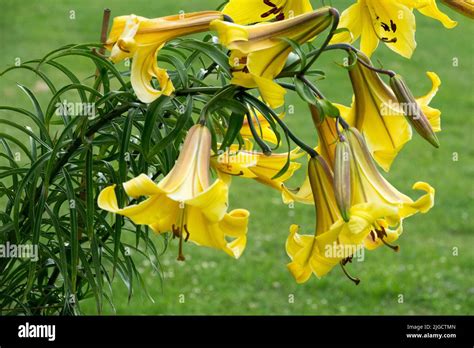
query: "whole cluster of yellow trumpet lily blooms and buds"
356, 207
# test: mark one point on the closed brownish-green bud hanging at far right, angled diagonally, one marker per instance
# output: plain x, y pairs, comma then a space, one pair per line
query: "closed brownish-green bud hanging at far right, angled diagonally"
412, 110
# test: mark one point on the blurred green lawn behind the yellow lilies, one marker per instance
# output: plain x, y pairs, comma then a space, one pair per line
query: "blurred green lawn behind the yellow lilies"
426, 273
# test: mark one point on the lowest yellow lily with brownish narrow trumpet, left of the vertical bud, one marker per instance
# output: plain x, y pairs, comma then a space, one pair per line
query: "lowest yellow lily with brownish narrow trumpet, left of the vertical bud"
317, 254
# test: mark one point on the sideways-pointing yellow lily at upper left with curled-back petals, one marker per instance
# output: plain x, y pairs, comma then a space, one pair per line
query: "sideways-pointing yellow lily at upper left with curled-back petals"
142, 38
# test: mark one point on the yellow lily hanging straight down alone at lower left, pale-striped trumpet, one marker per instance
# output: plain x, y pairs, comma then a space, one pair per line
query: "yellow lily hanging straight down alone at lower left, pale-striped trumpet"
185, 202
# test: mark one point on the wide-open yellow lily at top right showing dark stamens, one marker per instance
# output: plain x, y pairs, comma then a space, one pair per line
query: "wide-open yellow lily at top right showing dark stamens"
391, 22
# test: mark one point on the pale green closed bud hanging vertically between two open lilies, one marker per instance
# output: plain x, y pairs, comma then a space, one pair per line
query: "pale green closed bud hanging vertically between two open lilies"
342, 178
